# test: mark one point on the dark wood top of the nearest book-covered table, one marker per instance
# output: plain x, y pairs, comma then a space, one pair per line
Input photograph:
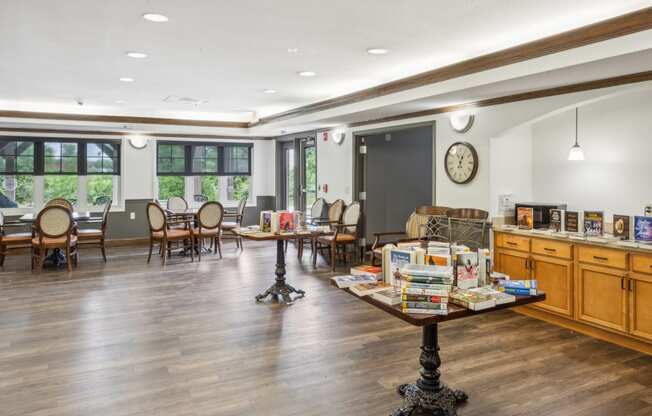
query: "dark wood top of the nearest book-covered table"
454, 311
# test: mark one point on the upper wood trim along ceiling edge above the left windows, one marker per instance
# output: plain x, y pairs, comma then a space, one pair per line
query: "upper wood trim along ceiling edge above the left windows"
122, 119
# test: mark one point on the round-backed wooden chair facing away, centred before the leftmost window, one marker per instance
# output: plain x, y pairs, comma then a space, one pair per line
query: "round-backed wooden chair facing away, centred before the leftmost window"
54, 230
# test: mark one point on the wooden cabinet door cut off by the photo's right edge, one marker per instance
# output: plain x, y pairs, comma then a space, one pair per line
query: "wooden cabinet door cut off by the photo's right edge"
640, 306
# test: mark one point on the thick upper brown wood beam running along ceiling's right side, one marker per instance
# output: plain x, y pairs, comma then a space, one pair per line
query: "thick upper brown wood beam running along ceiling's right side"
626, 24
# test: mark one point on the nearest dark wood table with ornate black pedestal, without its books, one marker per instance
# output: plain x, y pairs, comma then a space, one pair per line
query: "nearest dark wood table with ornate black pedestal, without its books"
429, 396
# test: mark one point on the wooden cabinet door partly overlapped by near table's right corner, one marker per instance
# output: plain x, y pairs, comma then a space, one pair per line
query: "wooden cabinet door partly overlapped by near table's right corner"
555, 278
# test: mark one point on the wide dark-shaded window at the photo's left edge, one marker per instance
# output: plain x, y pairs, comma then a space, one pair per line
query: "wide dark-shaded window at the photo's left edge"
35, 170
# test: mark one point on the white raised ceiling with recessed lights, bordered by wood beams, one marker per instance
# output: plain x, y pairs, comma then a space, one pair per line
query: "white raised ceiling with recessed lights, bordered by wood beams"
228, 52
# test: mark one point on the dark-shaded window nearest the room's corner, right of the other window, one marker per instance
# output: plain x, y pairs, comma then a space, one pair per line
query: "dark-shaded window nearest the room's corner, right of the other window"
219, 171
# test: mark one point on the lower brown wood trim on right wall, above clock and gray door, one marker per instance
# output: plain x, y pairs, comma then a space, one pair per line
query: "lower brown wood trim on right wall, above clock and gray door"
530, 95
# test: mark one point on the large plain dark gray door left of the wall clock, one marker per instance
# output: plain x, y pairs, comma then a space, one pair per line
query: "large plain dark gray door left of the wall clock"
398, 177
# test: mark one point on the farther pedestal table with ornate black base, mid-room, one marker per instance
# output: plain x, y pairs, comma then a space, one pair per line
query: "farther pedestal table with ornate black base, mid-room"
280, 288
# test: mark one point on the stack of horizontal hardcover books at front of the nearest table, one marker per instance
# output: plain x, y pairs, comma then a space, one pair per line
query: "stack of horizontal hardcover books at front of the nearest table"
425, 289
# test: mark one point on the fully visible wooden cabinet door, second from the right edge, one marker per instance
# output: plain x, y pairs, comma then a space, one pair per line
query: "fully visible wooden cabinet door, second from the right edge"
602, 297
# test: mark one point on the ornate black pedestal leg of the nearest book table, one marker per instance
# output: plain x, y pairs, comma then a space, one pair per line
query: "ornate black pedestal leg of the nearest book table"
429, 396
